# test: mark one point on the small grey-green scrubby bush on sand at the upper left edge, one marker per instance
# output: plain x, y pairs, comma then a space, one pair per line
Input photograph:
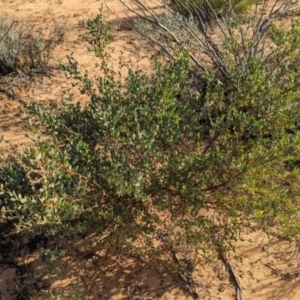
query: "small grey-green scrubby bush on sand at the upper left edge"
24, 50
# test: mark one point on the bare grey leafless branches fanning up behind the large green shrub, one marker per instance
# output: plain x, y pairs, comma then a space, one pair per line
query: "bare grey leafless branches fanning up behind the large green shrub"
205, 38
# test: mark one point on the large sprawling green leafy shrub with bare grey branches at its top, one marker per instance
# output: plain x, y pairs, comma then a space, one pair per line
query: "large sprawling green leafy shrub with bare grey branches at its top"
170, 168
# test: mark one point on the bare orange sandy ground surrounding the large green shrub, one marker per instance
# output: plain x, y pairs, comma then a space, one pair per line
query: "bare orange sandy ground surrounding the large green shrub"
263, 271
